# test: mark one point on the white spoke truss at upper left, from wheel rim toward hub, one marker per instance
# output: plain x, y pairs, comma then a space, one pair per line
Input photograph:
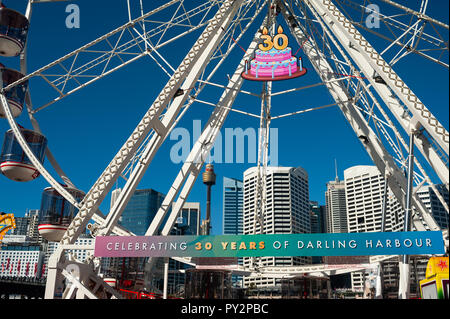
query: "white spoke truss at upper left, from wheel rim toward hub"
115, 50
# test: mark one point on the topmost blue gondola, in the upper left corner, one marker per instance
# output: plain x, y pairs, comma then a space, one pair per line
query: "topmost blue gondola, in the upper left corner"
13, 32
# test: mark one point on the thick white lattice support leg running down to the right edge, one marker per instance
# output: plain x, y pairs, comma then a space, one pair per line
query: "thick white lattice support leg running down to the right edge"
368, 59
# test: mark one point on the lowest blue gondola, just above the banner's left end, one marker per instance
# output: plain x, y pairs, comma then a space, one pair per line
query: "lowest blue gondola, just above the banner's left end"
56, 213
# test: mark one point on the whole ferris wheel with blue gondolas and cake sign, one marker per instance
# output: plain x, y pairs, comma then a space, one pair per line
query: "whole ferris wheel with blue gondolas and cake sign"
386, 116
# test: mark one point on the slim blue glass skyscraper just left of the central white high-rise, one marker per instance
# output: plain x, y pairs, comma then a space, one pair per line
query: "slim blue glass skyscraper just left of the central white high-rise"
232, 206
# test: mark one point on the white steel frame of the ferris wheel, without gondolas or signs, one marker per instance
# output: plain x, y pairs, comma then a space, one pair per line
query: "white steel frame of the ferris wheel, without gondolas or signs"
136, 154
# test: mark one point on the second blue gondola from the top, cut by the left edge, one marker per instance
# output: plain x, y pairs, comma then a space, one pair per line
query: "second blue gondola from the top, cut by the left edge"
15, 95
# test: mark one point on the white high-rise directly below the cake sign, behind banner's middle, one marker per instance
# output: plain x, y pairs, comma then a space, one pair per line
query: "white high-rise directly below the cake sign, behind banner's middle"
287, 212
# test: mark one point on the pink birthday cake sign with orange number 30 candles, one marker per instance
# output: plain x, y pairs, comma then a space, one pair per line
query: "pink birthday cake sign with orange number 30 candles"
273, 60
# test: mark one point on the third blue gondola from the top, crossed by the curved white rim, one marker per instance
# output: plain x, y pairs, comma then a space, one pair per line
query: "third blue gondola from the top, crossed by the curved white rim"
14, 163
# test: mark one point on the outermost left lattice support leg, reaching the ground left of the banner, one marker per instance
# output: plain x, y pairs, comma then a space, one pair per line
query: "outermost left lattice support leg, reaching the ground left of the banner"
150, 121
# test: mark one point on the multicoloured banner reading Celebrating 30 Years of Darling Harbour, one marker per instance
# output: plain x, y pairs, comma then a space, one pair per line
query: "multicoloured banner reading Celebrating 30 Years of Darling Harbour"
348, 244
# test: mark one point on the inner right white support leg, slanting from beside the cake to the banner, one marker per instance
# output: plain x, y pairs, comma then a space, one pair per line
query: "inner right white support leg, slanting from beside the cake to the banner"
382, 159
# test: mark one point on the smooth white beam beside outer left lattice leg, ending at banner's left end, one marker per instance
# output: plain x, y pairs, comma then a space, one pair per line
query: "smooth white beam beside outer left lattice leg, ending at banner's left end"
166, 122
